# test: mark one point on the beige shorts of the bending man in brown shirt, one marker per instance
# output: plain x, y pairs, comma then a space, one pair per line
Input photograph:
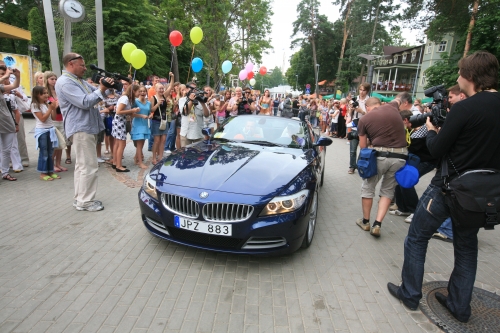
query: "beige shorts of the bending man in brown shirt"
386, 168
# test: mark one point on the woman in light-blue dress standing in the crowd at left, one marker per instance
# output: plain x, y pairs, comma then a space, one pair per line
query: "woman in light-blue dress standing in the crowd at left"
140, 129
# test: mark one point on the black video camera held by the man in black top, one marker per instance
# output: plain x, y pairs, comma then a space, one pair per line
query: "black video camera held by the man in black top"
438, 111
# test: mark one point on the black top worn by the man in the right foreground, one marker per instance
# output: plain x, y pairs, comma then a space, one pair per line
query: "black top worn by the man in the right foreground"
470, 135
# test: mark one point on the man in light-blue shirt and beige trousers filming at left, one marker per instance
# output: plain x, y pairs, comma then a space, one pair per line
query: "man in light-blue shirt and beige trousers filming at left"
82, 123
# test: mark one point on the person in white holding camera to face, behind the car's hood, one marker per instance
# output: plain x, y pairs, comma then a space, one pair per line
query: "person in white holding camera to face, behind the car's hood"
193, 110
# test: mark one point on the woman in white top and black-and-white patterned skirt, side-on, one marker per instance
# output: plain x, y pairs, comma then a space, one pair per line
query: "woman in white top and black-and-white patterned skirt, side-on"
123, 108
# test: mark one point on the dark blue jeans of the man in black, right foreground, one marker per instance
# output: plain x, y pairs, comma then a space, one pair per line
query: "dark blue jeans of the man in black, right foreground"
430, 213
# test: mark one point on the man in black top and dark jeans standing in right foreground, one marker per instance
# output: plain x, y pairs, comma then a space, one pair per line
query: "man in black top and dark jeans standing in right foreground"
470, 139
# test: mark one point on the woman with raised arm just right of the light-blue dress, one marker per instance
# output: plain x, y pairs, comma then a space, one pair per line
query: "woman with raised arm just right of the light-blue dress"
162, 106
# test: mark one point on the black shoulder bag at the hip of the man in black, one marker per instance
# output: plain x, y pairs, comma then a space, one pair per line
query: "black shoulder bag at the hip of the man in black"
473, 197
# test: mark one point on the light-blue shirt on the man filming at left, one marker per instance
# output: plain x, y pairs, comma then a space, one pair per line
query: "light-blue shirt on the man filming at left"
78, 102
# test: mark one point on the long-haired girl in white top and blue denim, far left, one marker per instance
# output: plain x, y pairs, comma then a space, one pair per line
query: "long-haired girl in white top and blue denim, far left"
45, 134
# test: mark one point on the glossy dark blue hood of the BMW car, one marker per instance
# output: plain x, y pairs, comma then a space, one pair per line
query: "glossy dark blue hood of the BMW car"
234, 167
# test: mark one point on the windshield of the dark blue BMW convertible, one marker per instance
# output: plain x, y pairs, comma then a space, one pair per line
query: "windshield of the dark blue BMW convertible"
265, 130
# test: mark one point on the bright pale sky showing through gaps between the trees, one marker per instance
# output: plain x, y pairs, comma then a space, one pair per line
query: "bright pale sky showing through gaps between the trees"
285, 12
